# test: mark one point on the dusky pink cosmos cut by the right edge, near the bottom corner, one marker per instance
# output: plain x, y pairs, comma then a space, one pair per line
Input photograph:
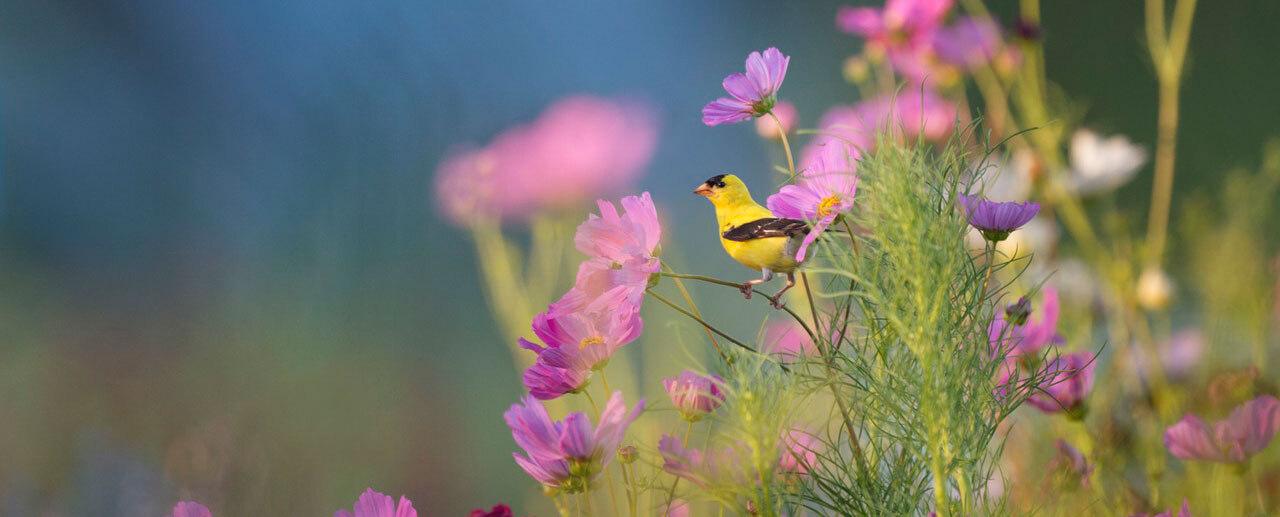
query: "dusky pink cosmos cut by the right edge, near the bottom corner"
1245, 433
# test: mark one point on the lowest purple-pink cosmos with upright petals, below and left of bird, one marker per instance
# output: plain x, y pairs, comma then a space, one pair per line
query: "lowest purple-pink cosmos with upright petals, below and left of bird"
568, 455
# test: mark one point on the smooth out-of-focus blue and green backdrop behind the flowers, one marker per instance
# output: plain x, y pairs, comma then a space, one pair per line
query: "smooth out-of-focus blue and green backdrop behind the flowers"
222, 274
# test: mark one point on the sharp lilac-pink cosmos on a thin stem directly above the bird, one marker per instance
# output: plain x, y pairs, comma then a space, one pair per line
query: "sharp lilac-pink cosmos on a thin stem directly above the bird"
753, 94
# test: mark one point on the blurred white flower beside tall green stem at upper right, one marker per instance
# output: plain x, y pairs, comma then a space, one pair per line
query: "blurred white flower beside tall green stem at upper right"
1103, 164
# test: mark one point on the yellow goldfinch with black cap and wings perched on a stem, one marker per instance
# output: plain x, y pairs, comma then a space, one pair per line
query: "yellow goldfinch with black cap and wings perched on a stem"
752, 235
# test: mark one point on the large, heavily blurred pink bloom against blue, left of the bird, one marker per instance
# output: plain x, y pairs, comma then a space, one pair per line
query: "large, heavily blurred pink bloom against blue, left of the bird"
580, 148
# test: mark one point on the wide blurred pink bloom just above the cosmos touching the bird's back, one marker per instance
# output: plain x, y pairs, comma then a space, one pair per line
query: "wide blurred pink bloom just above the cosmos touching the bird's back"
911, 113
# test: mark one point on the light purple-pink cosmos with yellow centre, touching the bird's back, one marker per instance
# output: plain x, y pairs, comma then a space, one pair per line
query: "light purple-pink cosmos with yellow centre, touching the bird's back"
824, 193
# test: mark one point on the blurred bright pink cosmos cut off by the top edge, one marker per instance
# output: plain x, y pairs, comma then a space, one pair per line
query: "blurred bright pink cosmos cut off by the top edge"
900, 26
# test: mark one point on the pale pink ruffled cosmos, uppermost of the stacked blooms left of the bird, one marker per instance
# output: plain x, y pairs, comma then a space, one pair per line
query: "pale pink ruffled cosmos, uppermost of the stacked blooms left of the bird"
623, 250
